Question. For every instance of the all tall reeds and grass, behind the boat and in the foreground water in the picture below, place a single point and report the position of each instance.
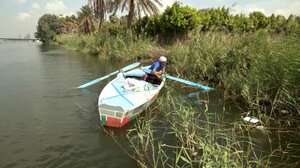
(258, 71)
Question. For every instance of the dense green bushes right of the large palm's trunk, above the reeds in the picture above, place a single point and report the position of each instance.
(177, 20)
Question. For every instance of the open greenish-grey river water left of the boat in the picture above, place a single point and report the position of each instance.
(44, 121)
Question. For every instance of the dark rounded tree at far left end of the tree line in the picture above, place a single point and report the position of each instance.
(48, 27)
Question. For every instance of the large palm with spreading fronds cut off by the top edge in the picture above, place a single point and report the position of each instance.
(134, 6)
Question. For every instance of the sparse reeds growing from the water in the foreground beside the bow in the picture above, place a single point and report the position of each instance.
(193, 137)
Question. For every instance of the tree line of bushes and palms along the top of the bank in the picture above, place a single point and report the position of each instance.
(176, 21)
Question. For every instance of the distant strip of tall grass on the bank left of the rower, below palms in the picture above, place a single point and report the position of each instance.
(117, 47)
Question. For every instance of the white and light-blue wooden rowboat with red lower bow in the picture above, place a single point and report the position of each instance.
(125, 97)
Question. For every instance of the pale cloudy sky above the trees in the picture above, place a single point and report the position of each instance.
(19, 17)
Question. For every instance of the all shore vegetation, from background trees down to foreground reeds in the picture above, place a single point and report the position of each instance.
(253, 60)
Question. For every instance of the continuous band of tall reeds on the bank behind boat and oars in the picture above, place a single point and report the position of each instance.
(258, 70)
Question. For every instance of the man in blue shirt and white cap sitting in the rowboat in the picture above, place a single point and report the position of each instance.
(158, 67)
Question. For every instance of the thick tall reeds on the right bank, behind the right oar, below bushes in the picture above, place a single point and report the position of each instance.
(260, 70)
